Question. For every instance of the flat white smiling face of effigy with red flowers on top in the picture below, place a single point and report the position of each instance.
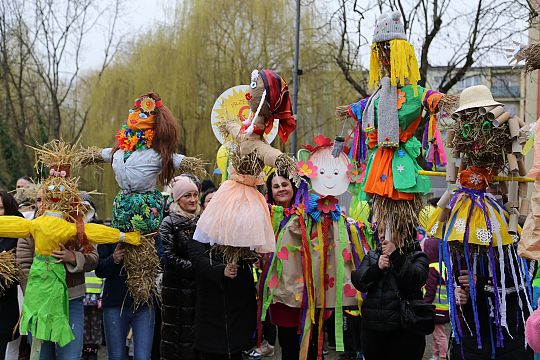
(331, 174)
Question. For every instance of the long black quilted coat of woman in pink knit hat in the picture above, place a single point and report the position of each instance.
(179, 290)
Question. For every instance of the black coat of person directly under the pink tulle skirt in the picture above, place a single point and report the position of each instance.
(226, 315)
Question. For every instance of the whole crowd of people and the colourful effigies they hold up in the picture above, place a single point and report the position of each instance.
(270, 259)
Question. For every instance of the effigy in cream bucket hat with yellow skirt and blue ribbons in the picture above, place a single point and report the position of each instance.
(473, 224)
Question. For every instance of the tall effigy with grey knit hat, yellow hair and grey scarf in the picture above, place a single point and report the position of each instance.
(387, 122)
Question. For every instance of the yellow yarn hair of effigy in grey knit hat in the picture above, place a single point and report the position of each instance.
(403, 64)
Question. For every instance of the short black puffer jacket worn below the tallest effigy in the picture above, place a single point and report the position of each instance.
(381, 307)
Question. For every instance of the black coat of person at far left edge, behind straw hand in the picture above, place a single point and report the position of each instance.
(9, 314)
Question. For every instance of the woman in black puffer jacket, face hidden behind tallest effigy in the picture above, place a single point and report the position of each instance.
(383, 337)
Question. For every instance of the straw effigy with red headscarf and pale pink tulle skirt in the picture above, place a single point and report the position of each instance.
(228, 221)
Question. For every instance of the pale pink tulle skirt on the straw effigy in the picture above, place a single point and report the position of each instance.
(237, 216)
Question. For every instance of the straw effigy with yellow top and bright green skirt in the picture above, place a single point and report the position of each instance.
(45, 309)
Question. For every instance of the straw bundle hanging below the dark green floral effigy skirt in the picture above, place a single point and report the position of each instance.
(142, 266)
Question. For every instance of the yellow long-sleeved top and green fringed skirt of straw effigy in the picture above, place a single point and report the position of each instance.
(45, 309)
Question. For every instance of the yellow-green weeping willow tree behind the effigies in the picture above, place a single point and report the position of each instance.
(208, 48)
